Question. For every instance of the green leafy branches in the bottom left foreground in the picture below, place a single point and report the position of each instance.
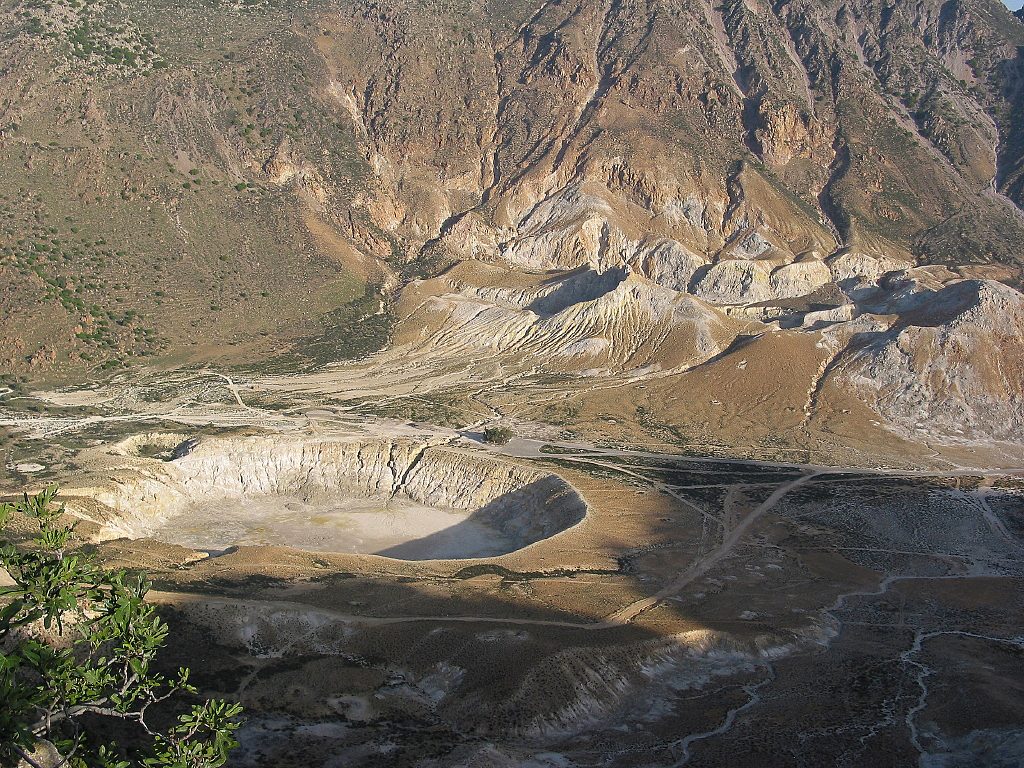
(76, 648)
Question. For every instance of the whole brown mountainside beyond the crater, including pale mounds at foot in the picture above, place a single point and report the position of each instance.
(685, 173)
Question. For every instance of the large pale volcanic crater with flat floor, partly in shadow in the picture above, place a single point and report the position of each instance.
(403, 499)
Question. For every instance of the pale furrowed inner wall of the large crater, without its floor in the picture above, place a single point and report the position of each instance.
(522, 504)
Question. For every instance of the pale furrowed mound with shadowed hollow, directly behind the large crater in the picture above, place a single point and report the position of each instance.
(613, 322)
